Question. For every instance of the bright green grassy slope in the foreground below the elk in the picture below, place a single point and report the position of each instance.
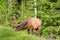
(8, 33)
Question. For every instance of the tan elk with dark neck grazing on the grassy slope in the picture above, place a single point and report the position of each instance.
(30, 24)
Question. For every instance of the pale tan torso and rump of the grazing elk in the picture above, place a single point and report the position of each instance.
(33, 23)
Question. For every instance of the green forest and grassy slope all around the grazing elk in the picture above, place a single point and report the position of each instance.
(46, 10)
